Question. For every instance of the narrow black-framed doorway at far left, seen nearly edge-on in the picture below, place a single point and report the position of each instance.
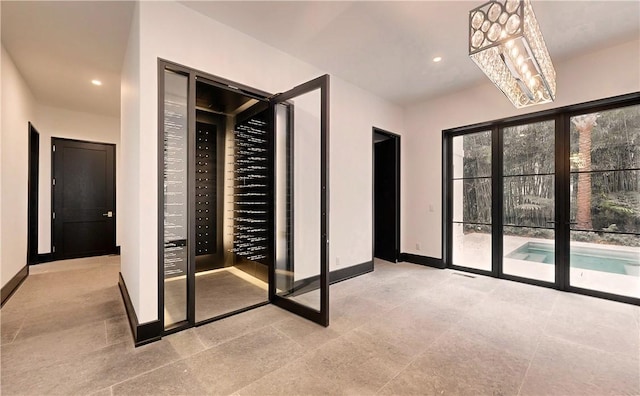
(32, 195)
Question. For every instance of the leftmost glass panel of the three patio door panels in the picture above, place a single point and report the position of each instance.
(471, 228)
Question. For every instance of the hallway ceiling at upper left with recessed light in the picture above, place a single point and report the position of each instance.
(59, 47)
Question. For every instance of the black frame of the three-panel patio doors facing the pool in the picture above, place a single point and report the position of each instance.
(562, 117)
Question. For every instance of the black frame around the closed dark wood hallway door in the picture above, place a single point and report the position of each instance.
(57, 255)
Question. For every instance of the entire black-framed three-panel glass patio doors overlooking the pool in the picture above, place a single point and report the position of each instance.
(551, 199)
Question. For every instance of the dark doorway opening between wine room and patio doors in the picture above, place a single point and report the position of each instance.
(386, 195)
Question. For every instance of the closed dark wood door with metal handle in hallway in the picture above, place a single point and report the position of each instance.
(83, 189)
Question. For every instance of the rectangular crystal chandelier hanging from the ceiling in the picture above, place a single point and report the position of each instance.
(506, 43)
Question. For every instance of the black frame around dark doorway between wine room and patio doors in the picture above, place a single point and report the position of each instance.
(397, 186)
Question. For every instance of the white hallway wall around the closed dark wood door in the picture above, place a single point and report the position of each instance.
(62, 123)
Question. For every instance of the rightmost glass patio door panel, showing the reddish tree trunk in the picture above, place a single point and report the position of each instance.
(605, 201)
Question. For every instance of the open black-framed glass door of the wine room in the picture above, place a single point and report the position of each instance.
(299, 279)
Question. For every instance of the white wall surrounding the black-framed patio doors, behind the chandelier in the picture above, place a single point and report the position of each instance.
(604, 73)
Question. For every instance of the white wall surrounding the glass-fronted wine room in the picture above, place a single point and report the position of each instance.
(173, 32)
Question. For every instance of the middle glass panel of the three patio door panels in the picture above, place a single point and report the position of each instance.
(529, 201)
